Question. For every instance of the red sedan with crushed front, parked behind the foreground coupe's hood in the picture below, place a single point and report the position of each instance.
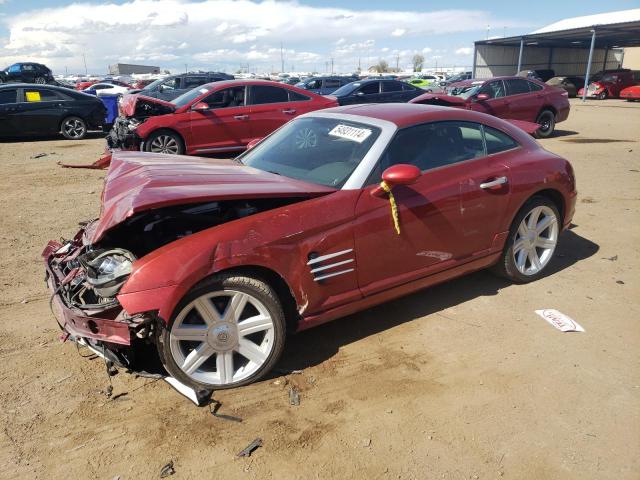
(217, 117)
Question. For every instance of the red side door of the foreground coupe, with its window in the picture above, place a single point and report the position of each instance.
(446, 218)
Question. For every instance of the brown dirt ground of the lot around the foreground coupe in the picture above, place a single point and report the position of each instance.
(460, 381)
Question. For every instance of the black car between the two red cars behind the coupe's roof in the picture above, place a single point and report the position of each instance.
(376, 91)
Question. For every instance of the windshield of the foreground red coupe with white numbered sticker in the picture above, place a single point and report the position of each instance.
(323, 151)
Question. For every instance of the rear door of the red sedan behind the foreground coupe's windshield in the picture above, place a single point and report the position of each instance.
(269, 110)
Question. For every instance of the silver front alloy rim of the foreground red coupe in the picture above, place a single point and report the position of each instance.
(222, 337)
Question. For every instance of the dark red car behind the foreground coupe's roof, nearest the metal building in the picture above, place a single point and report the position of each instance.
(513, 98)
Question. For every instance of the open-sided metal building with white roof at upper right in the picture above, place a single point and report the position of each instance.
(575, 46)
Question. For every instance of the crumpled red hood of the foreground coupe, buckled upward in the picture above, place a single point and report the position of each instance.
(139, 181)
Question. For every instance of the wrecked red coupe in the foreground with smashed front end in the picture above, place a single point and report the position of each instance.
(212, 262)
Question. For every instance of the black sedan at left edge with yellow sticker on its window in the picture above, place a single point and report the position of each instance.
(30, 110)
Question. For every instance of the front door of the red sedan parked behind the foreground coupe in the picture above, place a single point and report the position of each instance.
(224, 126)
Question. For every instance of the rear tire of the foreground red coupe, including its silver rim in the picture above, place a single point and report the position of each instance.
(532, 241)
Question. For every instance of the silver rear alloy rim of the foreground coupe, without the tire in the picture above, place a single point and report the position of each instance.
(535, 240)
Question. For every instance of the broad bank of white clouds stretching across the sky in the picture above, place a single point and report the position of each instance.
(219, 33)
